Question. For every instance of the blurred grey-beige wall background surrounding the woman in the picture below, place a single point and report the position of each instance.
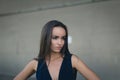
(93, 25)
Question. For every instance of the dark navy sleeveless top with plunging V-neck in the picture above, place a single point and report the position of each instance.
(66, 70)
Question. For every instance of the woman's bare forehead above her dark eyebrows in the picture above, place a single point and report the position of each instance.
(58, 31)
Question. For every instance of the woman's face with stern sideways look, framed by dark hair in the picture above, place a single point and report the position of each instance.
(58, 39)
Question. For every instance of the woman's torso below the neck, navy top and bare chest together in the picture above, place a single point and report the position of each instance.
(60, 70)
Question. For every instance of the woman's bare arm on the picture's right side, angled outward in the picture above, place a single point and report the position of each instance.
(83, 69)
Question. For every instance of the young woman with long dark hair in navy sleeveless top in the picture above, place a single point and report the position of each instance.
(54, 61)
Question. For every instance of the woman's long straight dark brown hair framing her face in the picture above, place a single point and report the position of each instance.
(46, 39)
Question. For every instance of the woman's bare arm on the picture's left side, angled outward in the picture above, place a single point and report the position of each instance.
(29, 69)
